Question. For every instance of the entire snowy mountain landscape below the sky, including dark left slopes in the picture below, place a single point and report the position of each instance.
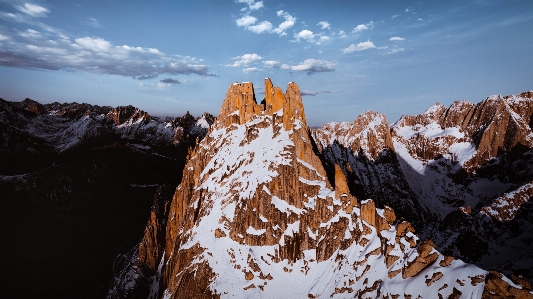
(254, 203)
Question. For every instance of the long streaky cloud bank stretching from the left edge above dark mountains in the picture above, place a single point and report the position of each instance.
(43, 50)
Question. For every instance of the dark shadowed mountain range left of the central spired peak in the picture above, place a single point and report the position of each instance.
(76, 190)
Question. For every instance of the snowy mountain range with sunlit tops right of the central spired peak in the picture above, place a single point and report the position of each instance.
(468, 167)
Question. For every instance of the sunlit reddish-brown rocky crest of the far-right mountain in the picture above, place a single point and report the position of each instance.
(496, 124)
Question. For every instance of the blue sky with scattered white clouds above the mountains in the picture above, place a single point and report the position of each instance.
(347, 57)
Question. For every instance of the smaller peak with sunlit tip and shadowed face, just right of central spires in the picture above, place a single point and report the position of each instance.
(365, 153)
